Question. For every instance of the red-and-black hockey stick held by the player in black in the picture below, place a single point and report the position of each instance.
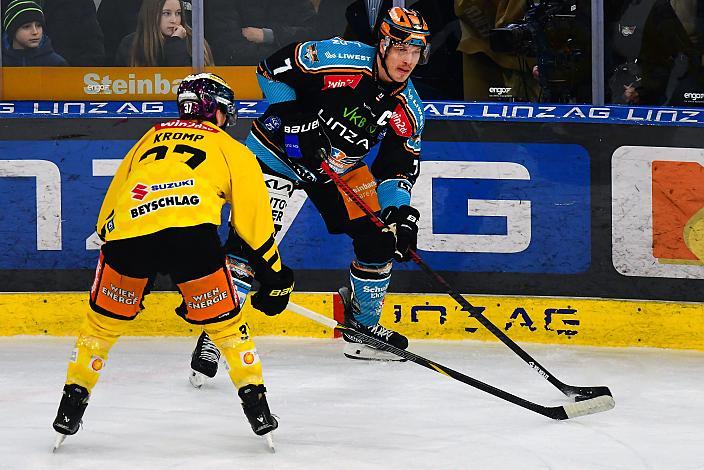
(578, 393)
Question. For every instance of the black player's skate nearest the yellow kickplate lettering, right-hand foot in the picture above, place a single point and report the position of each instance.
(356, 350)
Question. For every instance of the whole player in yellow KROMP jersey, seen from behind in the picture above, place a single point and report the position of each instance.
(161, 214)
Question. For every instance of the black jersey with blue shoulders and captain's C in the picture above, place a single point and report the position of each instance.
(336, 80)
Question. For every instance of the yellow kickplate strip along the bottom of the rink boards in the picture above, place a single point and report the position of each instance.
(592, 322)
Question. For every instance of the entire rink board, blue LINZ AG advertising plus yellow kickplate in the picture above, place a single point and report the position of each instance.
(530, 208)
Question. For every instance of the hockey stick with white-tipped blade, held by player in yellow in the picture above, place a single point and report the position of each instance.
(568, 411)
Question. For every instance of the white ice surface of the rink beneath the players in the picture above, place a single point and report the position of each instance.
(337, 413)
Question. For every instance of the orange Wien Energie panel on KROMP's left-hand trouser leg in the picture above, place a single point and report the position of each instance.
(116, 295)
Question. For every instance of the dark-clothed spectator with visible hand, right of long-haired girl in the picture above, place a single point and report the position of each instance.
(243, 32)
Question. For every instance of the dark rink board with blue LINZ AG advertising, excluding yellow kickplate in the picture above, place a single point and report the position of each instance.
(516, 200)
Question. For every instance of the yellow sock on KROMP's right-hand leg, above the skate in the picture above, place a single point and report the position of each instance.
(232, 337)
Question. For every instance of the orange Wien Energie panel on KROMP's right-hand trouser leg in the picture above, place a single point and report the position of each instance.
(208, 299)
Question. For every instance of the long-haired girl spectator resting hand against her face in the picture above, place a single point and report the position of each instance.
(162, 38)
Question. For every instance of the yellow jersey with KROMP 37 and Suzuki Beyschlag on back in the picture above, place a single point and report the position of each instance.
(180, 174)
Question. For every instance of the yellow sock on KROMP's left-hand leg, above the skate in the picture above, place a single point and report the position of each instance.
(96, 336)
